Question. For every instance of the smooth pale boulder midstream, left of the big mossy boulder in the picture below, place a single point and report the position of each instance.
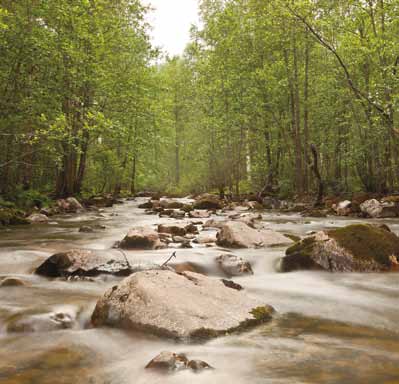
(236, 234)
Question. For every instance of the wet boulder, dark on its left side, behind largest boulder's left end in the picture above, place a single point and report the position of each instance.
(81, 262)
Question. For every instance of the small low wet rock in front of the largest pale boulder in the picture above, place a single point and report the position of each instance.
(172, 362)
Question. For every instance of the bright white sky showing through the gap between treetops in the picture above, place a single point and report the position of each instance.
(171, 21)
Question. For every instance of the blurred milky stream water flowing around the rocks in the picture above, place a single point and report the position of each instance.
(330, 328)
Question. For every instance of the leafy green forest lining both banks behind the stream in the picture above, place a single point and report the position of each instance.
(88, 106)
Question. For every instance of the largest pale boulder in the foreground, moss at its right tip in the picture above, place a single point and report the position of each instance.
(186, 305)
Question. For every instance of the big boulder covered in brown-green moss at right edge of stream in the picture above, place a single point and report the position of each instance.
(355, 248)
